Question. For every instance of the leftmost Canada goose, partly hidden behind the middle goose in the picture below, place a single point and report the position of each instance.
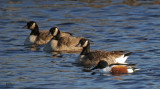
(38, 37)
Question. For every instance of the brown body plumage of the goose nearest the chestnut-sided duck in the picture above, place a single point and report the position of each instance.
(92, 58)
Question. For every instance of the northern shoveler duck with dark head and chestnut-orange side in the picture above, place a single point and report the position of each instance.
(115, 68)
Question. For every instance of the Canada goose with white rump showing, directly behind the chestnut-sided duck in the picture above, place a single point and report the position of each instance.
(89, 58)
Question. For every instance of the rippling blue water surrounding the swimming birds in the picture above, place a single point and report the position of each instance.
(132, 25)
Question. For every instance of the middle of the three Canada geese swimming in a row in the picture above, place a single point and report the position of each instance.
(67, 44)
